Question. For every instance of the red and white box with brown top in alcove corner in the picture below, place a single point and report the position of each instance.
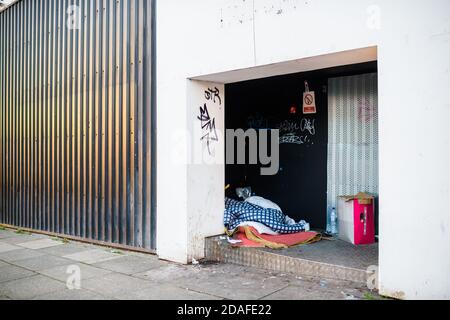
(356, 219)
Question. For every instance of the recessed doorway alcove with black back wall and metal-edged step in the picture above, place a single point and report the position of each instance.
(331, 153)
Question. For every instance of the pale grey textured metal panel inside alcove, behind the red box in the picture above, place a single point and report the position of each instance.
(353, 136)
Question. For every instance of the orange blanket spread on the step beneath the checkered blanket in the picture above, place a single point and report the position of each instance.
(252, 238)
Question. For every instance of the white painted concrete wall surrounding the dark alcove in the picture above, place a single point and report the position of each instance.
(203, 37)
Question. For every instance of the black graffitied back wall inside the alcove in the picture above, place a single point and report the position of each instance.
(300, 187)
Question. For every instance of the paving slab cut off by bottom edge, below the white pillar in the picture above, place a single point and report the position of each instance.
(164, 292)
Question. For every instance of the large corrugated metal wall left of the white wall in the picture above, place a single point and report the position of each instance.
(75, 119)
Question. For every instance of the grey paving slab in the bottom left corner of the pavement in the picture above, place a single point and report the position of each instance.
(29, 288)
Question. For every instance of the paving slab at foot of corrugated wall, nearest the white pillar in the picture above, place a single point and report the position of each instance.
(131, 264)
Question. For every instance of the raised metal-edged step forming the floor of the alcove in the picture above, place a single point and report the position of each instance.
(334, 259)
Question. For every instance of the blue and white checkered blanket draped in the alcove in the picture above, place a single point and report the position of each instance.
(237, 212)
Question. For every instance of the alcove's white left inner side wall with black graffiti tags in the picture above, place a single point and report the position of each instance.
(206, 169)
